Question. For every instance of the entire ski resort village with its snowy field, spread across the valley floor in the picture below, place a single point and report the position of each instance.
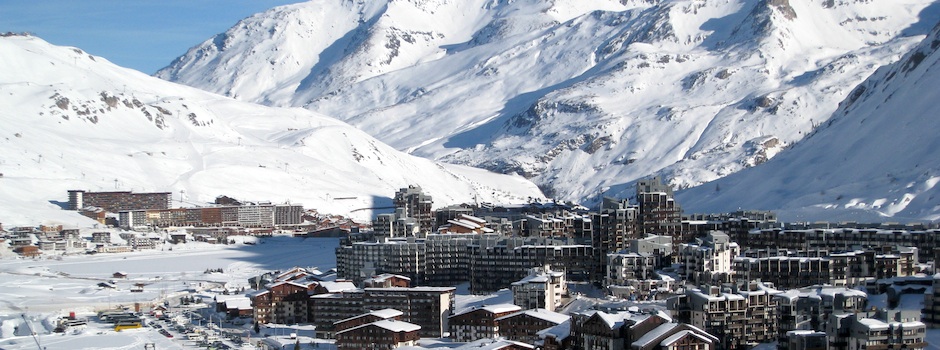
(631, 274)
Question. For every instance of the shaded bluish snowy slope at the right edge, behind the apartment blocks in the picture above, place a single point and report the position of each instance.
(878, 156)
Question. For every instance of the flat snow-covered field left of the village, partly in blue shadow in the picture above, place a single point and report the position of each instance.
(46, 289)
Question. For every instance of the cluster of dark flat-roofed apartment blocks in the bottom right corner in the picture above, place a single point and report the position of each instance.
(817, 317)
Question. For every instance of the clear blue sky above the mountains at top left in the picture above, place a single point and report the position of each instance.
(145, 35)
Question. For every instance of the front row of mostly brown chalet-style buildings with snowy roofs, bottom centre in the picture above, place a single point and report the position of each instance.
(384, 312)
